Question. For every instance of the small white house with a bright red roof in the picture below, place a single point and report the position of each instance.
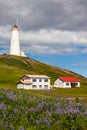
(66, 82)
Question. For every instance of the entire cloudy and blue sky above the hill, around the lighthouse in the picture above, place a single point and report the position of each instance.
(51, 31)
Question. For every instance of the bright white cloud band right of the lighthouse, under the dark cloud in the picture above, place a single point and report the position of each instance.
(55, 37)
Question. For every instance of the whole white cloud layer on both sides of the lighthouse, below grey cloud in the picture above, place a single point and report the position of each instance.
(47, 41)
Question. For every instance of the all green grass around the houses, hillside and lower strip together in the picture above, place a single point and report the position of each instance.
(13, 68)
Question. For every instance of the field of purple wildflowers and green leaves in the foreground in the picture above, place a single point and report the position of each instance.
(21, 110)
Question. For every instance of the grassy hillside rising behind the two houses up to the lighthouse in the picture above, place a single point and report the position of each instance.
(14, 67)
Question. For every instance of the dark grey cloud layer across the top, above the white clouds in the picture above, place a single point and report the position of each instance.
(56, 14)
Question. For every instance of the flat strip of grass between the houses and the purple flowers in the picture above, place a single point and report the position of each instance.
(72, 93)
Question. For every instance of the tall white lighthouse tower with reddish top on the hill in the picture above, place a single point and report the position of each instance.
(15, 44)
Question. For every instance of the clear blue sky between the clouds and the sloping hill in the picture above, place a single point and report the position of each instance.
(75, 63)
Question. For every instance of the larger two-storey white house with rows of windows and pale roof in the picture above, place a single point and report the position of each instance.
(34, 82)
